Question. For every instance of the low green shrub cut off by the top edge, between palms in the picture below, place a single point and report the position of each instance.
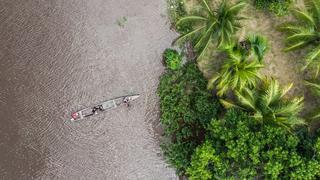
(278, 7)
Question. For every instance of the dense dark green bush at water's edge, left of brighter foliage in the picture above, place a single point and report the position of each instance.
(186, 109)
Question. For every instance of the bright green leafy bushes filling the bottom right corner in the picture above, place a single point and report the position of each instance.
(239, 147)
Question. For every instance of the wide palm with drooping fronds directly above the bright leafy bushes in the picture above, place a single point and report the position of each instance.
(268, 104)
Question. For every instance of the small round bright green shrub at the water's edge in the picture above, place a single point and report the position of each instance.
(172, 59)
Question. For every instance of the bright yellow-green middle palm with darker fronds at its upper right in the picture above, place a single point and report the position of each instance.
(241, 68)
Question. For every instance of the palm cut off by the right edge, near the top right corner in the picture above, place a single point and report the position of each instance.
(305, 32)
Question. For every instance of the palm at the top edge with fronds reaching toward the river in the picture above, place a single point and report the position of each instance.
(212, 25)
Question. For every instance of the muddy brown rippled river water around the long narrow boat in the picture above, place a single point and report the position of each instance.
(58, 56)
